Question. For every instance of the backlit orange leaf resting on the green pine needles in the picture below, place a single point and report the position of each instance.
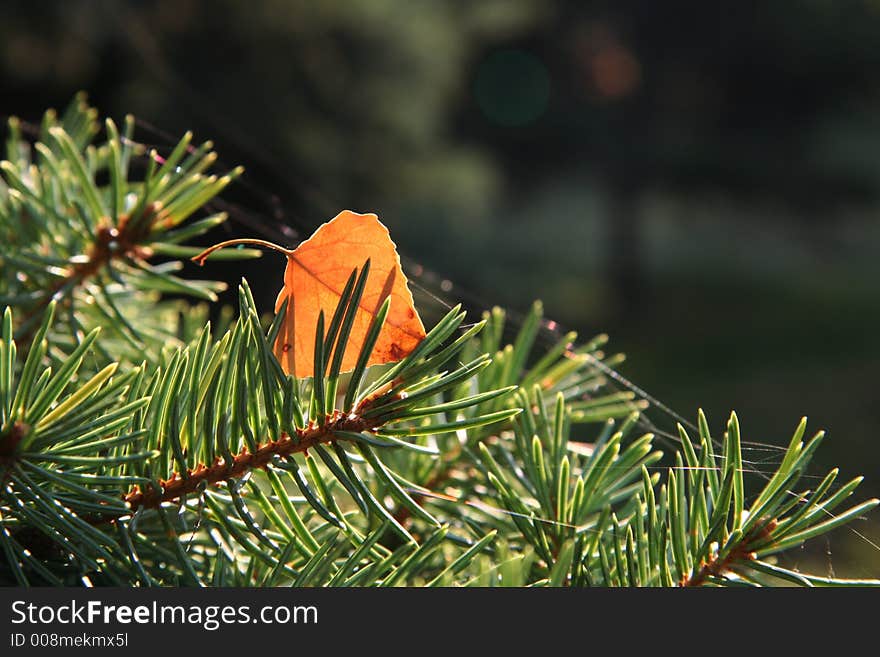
(315, 277)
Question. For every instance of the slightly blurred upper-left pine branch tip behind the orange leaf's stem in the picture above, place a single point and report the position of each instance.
(68, 237)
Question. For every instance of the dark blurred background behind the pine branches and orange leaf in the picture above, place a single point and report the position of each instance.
(700, 180)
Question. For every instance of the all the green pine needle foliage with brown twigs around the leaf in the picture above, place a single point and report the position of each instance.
(140, 449)
